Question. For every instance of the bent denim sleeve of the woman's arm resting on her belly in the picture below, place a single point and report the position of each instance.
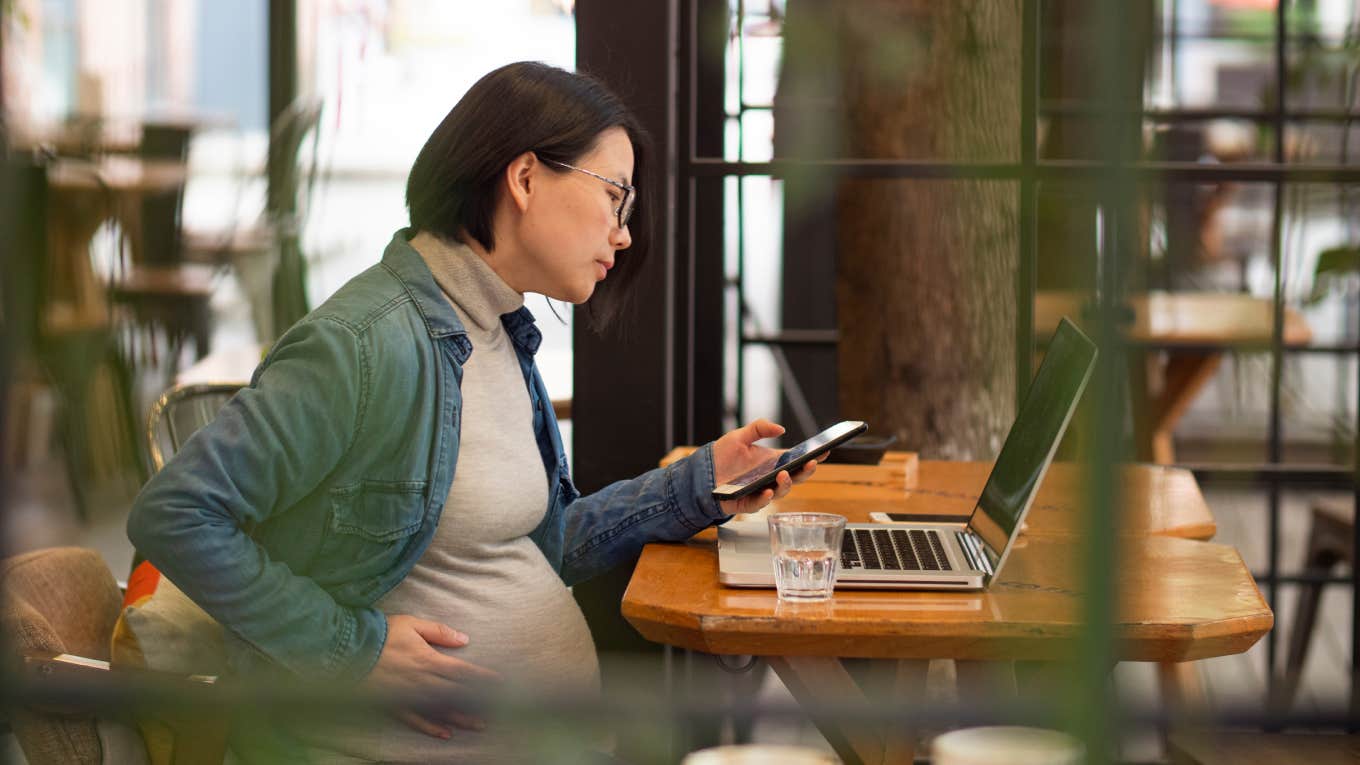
(267, 450)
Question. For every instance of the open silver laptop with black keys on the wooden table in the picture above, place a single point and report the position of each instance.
(947, 556)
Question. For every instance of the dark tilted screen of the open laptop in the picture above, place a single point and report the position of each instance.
(1033, 439)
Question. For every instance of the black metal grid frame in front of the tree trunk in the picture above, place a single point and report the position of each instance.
(1030, 172)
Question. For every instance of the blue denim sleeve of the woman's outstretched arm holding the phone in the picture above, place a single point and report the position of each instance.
(668, 504)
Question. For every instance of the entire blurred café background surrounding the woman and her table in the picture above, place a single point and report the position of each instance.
(188, 178)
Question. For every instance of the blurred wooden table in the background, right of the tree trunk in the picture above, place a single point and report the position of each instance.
(1193, 330)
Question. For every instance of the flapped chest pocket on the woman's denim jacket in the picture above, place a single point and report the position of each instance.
(369, 530)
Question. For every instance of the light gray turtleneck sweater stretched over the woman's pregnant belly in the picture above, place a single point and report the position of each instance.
(482, 575)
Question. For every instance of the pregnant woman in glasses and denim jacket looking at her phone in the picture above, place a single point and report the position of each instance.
(388, 502)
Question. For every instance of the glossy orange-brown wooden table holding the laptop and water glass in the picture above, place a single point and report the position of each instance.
(1183, 600)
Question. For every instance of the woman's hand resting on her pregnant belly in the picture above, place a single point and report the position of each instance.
(410, 666)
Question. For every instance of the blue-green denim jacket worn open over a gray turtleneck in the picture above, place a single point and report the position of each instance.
(319, 487)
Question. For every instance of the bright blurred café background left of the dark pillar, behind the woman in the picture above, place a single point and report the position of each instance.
(197, 208)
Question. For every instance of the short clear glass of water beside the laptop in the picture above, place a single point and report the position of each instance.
(806, 549)
